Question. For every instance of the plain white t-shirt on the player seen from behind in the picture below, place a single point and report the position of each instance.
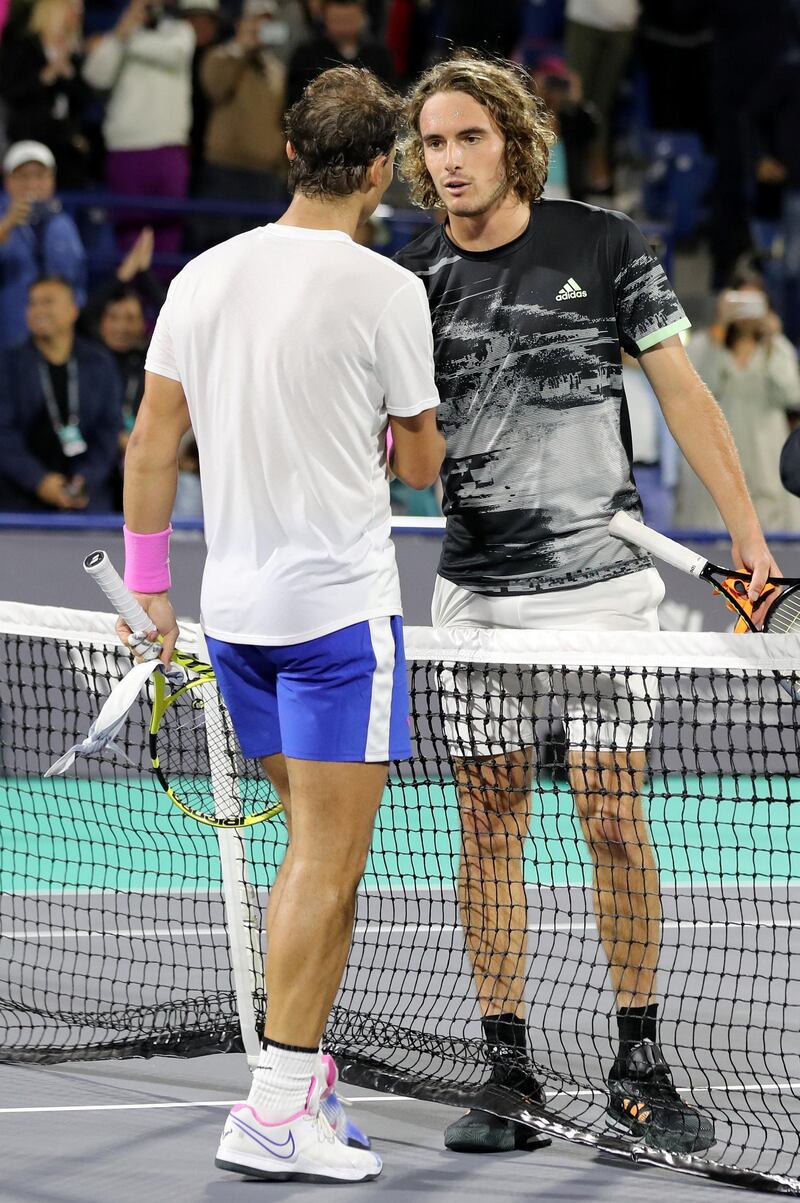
(293, 347)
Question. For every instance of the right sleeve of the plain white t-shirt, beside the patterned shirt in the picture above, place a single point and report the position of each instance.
(405, 353)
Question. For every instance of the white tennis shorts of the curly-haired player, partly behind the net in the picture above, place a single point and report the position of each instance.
(490, 713)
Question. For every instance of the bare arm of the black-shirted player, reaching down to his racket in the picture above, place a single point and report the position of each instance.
(704, 437)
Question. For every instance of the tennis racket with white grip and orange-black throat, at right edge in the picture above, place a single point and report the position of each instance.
(784, 614)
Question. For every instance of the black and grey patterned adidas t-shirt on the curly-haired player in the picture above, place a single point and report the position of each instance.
(528, 352)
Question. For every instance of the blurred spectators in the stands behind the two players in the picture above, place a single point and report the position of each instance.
(682, 111)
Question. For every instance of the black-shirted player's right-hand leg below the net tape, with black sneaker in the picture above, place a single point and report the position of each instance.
(608, 784)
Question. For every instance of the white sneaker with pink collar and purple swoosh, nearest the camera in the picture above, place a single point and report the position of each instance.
(303, 1148)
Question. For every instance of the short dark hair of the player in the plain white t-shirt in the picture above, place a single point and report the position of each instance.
(342, 123)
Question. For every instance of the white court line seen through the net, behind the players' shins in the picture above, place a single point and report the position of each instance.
(366, 929)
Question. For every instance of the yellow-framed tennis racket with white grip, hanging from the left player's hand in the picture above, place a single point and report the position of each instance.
(194, 752)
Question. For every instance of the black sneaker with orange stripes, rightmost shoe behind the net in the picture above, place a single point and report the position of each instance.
(644, 1101)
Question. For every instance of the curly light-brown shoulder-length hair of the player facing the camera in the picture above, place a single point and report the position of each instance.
(518, 111)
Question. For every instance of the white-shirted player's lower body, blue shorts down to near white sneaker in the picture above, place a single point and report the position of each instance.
(339, 712)
